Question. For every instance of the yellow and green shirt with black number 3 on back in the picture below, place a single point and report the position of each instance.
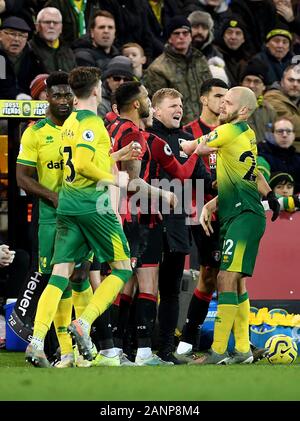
(82, 129)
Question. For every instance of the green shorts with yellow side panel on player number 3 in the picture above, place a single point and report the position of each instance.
(78, 234)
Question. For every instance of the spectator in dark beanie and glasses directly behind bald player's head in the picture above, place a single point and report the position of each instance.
(261, 121)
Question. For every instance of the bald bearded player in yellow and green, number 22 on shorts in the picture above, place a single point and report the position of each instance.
(242, 221)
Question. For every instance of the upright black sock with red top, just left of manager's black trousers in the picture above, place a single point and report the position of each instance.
(145, 318)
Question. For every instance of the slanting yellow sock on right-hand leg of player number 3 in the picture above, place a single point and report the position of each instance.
(104, 295)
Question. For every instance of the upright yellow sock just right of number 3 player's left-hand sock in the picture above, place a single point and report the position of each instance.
(62, 319)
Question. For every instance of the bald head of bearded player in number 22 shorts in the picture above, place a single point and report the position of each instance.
(238, 105)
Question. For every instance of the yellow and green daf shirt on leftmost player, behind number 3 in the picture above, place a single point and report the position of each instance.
(41, 148)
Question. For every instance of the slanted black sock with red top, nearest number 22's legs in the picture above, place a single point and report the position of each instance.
(196, 315)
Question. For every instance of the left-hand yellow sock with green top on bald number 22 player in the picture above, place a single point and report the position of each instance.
(226, 313)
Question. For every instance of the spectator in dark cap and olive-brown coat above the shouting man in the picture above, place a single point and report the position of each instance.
(180, 67)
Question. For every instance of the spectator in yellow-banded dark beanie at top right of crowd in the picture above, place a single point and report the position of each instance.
(277, 52)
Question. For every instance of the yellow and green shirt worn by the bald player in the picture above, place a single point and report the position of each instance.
(236, 169)
